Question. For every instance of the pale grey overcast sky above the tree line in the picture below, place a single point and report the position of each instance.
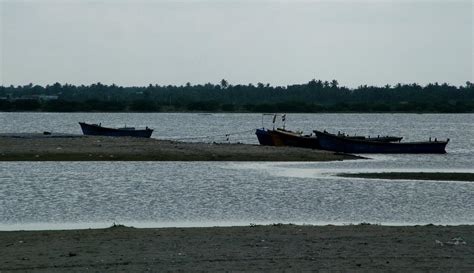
(138, 42)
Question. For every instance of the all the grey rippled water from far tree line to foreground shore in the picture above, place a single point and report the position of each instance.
(90, 194)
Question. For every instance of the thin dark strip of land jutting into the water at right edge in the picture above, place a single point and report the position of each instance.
(414, 176)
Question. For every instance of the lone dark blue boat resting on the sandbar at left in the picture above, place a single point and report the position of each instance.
(99, 130)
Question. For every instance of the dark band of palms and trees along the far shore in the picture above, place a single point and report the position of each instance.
(311, 97)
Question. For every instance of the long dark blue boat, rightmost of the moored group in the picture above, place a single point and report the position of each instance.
(333, 142)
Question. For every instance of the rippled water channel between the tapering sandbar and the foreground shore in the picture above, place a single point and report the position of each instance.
(210, 192)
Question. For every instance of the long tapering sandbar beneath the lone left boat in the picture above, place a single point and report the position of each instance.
(36, 147)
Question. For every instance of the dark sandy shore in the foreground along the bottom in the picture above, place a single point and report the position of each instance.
(289, 248)
